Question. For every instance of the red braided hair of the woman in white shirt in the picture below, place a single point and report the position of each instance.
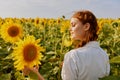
(86, 16)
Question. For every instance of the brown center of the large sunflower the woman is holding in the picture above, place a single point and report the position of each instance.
(30, 52)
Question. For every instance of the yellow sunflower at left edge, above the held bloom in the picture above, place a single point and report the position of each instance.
(11, 32)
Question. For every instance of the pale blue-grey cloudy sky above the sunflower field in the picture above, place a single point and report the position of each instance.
(58, 8)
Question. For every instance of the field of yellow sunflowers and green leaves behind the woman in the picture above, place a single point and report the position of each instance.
(44, 42)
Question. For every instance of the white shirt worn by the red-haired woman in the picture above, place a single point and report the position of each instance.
(87, 63)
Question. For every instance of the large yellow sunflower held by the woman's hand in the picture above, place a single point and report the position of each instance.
(27, 53)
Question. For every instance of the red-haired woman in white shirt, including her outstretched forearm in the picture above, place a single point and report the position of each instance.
(88, 61)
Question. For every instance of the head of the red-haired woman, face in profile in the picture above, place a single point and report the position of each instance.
(84, 27)
